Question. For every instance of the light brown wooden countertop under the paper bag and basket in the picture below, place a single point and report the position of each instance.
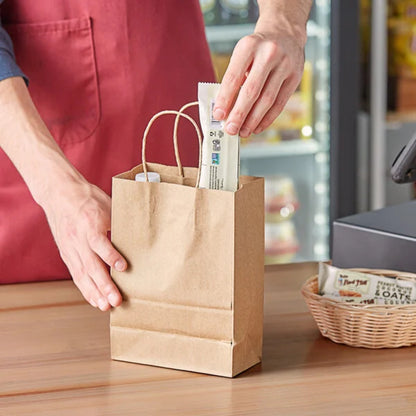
(55, 360)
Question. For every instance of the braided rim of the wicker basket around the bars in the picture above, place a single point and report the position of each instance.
(307, 292)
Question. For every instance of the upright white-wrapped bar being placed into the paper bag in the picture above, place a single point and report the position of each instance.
(220, 152)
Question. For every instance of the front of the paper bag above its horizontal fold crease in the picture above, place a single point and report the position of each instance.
(178, 241)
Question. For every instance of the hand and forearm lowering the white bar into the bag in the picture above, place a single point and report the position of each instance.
(265, 68)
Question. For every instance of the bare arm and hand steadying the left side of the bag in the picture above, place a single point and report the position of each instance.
(77, 211)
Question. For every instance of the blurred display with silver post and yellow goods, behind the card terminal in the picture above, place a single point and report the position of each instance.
(387, 119)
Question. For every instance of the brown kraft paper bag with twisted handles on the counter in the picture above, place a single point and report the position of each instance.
(193, 291)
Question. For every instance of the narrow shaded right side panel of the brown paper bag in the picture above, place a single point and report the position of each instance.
(249, 275)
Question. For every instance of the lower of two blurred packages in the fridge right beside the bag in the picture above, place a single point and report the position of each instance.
(281, 243)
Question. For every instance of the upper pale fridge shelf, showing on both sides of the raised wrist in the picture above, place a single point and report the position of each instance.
(223, 33)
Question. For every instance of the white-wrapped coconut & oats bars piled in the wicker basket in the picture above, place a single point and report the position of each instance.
(364, 288)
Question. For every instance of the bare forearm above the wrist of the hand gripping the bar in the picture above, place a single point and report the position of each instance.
(290, 16)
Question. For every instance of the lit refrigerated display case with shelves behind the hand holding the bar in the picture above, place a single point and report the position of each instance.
(294, 153)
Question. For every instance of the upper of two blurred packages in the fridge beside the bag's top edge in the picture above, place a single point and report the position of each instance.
(280, 198)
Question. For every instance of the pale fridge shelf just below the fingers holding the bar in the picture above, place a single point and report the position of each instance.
(289, 148)
